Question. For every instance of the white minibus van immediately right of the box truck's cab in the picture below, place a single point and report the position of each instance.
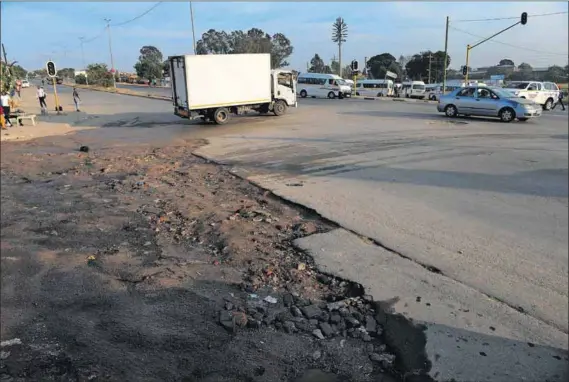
(322, 85)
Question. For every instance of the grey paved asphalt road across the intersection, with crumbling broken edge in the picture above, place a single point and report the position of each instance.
(479, 208)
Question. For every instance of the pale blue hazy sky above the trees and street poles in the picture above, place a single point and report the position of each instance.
(32, 32)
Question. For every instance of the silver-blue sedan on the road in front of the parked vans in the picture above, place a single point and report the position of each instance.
(487, 102)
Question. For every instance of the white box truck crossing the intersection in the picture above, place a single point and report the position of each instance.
(213, 87)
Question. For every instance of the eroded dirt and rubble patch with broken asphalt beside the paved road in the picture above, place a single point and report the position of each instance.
(138, 263)
